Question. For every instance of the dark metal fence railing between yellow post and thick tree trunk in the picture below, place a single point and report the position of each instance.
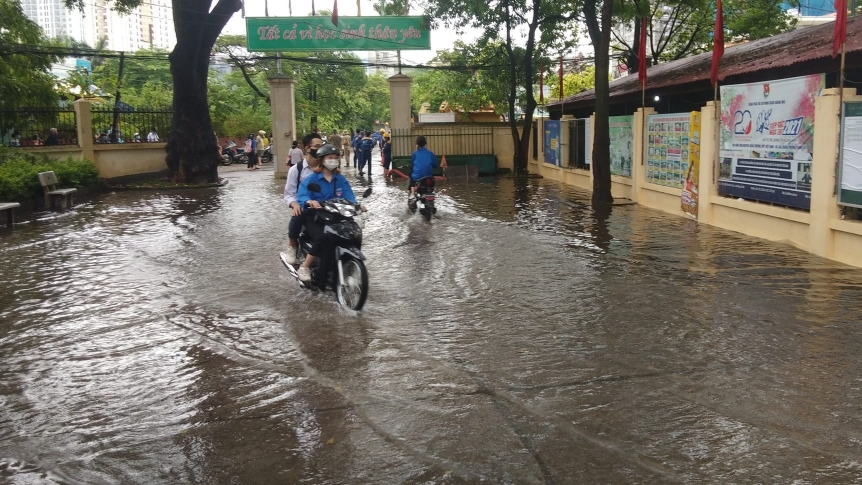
(133, 126)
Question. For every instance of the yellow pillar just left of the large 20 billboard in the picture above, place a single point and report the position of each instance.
(707, 185)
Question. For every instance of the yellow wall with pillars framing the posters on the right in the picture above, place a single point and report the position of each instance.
(819, 230)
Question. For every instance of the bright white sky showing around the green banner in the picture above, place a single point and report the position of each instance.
(440, 39)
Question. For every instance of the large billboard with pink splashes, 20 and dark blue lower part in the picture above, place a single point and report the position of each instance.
(767, 139)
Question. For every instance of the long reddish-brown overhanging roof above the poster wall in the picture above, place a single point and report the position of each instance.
(795, 53)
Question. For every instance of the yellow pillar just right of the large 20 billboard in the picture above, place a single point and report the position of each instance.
(824, 203)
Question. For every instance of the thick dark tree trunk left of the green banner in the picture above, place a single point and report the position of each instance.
(192, 153)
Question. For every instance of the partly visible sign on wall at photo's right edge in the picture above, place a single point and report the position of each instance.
(850, 172)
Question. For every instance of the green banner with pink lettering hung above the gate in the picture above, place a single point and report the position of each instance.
(351, 34)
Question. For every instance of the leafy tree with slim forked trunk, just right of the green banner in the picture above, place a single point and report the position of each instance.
(525, 29)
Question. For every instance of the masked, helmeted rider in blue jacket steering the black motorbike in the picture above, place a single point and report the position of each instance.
(333, 185)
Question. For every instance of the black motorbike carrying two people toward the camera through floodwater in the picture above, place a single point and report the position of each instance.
(343, 269)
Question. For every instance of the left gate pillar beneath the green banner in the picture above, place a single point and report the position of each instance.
(281, 89)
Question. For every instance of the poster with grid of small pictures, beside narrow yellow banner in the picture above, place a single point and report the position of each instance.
(668, 138)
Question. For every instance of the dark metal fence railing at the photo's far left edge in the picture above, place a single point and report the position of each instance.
(31, 126)
